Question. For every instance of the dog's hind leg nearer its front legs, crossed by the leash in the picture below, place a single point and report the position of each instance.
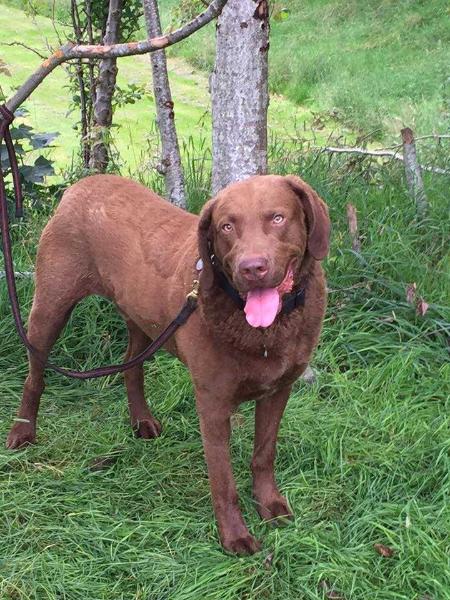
(143, 422)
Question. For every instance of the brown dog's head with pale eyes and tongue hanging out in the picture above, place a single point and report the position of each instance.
(259, 231)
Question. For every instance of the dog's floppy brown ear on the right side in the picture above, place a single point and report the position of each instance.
(317, 219)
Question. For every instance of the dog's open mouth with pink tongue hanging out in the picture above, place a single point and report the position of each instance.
(263, 304)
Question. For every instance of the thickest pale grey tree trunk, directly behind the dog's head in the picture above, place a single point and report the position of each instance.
(239, 88)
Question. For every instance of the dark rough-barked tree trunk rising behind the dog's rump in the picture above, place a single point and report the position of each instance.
(106, 83)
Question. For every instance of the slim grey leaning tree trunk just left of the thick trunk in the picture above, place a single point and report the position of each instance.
(170, 165)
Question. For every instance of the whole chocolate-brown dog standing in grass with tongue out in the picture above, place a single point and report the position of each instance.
(261, 240)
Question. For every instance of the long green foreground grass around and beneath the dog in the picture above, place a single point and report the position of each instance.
(363, 454)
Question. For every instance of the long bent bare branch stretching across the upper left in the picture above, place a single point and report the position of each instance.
(71, 51)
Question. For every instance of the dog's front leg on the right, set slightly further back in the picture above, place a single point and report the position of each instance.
(268, 412)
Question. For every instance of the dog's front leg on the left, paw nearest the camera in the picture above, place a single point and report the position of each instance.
(215, 428)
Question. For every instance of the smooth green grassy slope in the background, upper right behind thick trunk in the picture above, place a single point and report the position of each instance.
(371, 66)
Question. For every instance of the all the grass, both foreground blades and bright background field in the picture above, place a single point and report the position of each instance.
(91, 513)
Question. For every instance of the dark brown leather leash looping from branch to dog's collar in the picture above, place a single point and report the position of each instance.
(188, 308)
